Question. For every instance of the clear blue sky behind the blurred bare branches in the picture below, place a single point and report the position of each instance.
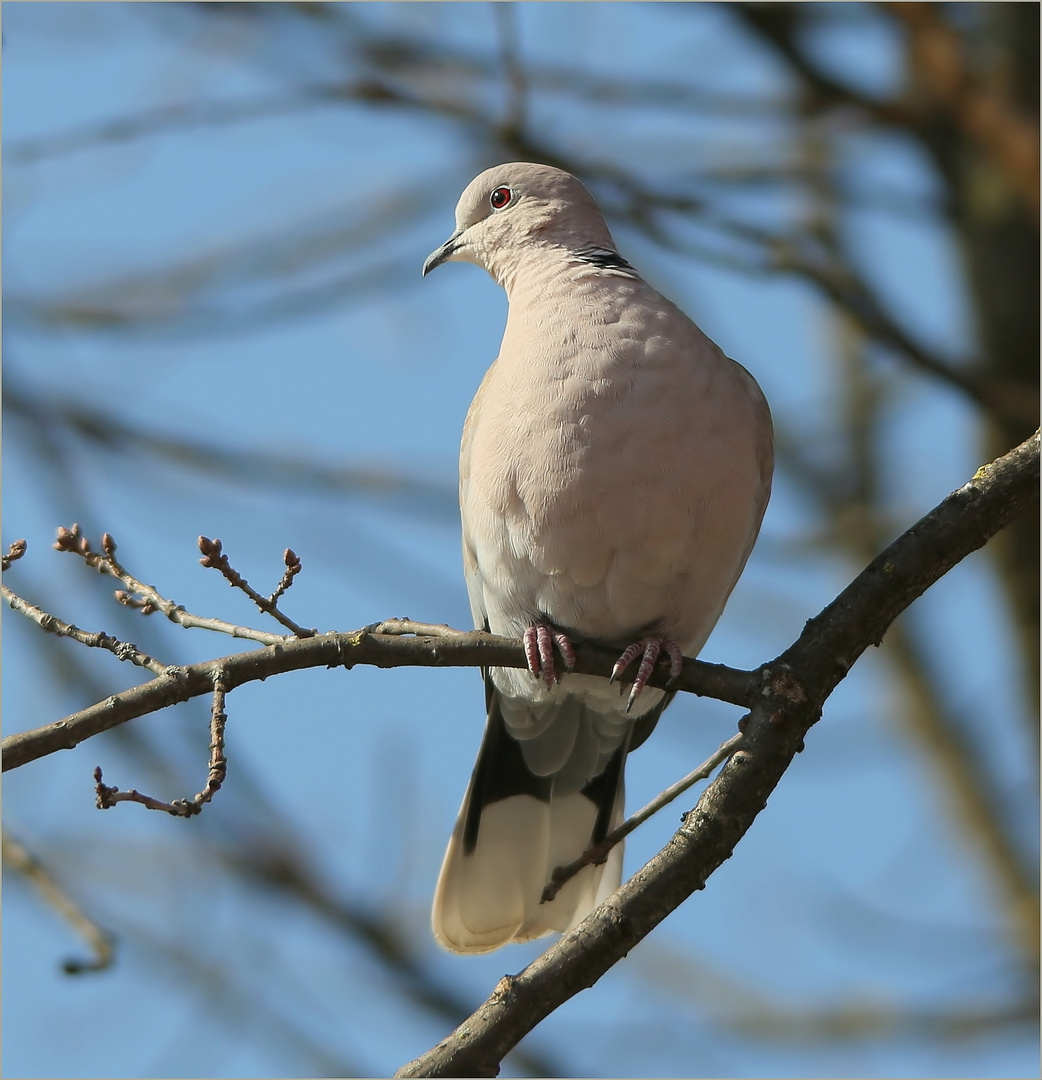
(854, 886)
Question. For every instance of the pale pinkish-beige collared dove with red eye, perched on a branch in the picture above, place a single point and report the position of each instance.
(615, 469)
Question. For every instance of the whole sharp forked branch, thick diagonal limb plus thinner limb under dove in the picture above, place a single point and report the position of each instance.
(787, 697)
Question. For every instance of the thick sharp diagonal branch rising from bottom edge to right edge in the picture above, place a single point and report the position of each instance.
(795, 687)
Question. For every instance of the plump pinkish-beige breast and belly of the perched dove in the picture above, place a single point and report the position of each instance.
(611, 478)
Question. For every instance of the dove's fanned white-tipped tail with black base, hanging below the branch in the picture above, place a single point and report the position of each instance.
(533, 804)
